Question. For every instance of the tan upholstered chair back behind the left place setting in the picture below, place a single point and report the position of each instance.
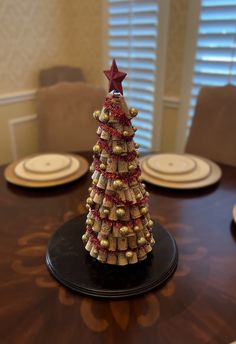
(65, 116)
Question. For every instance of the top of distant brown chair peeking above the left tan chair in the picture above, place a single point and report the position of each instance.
(53, 75)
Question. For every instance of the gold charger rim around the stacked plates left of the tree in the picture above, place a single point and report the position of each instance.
(11, 177)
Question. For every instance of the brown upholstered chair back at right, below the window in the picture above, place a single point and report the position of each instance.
(213, 131)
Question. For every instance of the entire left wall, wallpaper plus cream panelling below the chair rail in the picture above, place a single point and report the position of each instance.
(38, 34)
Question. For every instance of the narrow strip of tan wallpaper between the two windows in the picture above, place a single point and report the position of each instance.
(175, 50)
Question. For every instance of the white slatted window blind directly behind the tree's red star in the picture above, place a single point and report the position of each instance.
(133, 31)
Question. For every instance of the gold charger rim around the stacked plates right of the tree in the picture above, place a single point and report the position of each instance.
(212, 178)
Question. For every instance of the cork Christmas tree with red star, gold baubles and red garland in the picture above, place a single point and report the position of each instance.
(118, 225)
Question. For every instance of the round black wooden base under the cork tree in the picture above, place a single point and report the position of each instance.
(71, 264)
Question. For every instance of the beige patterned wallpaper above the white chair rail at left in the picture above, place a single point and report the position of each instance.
(37, 34)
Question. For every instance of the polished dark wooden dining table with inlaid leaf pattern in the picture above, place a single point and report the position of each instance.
(196, 305)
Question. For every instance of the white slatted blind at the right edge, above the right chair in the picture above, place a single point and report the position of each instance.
(215, 57)
